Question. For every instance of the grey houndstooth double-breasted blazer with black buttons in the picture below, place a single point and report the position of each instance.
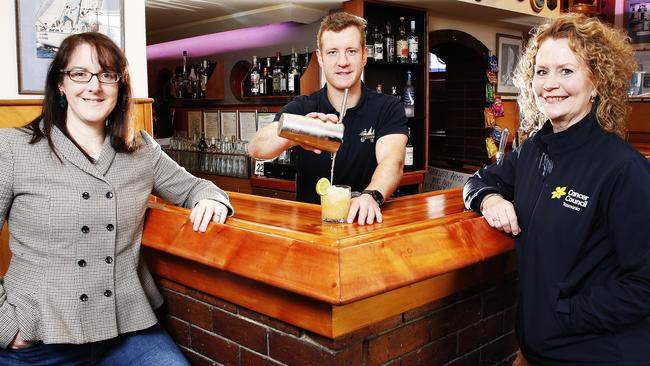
(75, 232)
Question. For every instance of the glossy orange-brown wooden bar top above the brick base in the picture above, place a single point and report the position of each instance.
(284, 244)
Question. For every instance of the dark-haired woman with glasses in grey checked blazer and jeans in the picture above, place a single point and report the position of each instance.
(73, 186)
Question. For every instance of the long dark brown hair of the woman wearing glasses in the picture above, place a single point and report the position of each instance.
(111, 58)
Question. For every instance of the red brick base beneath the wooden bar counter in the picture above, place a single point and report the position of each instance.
(474, 327)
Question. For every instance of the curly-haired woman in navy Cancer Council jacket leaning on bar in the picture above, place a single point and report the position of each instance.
(577, 197)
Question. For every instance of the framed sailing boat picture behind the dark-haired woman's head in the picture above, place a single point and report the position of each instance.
(41, 26)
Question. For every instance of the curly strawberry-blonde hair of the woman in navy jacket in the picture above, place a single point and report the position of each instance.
(605, 51)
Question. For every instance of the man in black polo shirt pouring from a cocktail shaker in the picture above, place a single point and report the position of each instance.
(371, 158)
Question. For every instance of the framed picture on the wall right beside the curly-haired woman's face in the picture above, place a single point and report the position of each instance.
(509, 50)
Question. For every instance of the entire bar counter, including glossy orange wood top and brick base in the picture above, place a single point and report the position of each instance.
(356, 290)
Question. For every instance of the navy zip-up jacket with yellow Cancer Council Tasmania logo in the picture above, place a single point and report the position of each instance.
(582, 199)
